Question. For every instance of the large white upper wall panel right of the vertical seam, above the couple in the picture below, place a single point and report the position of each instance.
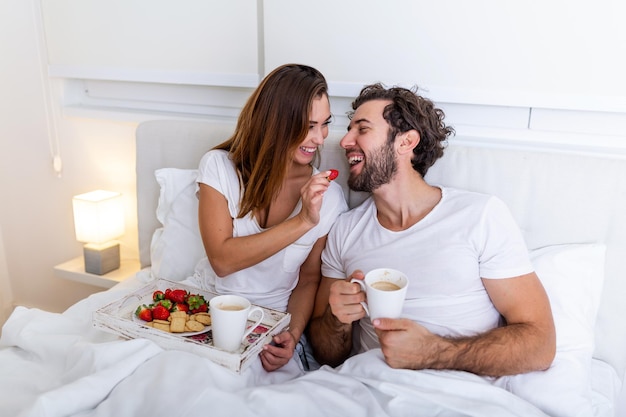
(558, 53)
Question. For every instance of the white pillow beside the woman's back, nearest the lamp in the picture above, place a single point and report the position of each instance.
(177, 247)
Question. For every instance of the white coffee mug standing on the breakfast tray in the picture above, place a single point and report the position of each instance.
(229, 317)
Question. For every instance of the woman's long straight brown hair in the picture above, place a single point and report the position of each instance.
(271, 126)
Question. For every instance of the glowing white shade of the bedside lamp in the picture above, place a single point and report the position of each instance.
(98, 216)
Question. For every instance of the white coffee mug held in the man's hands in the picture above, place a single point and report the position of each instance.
(385, 289)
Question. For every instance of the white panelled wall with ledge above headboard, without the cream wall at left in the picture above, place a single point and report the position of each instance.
(530, 66)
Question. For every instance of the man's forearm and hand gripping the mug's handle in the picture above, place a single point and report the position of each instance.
(330, 330)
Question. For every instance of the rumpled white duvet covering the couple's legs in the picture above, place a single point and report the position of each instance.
(59, 365)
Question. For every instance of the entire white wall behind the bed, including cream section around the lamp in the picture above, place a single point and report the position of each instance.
(539, 73)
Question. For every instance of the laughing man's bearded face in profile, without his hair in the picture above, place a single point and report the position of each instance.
(370, 152)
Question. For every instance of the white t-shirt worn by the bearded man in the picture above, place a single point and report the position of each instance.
(465, 237)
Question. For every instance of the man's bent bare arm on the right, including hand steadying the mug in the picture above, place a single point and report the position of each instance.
(526, 343)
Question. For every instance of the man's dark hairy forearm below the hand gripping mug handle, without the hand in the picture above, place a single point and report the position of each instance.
(331, 340)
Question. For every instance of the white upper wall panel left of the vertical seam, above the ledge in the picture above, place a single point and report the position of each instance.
(157, 40)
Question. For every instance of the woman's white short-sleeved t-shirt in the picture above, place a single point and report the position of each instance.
(270, 282)
